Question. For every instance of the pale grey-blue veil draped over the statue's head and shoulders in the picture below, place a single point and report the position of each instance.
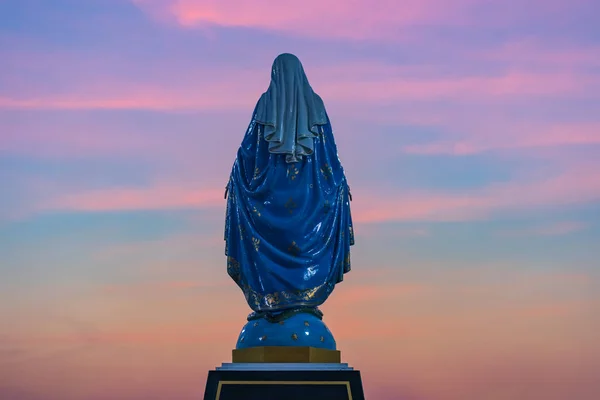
(289, 110)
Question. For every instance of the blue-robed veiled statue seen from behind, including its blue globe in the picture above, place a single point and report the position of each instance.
(288, 228)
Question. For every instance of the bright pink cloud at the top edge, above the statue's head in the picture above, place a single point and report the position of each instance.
(356, 20)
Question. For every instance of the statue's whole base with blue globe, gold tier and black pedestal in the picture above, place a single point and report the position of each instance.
(293, 358)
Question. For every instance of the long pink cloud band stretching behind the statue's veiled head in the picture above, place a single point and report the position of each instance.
(350, 89)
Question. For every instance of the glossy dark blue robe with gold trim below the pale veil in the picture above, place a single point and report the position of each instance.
(288, 228)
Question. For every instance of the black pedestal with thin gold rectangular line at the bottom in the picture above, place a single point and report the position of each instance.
(284, 385)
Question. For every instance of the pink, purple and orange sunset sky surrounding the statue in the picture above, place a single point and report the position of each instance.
(470, 135)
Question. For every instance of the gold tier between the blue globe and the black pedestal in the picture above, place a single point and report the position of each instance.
(285, 354)
